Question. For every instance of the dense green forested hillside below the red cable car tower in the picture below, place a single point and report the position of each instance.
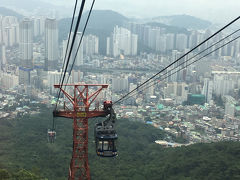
(25, 150)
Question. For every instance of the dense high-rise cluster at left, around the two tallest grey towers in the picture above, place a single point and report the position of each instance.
(38, 52)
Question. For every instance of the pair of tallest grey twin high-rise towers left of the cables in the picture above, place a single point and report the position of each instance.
(26, 36)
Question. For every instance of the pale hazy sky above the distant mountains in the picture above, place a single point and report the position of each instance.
(213, 10)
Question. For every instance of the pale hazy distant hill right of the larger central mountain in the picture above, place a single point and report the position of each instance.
(184, 21)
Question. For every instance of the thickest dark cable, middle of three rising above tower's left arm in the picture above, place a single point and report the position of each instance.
(71, 47)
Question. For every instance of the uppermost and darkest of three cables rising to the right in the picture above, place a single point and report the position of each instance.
(178, 59)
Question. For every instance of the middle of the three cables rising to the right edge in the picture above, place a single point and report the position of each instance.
(192, 57)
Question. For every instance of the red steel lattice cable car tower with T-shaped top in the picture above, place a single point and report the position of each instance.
(80, 112)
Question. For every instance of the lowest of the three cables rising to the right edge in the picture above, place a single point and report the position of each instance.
(156, 82)
